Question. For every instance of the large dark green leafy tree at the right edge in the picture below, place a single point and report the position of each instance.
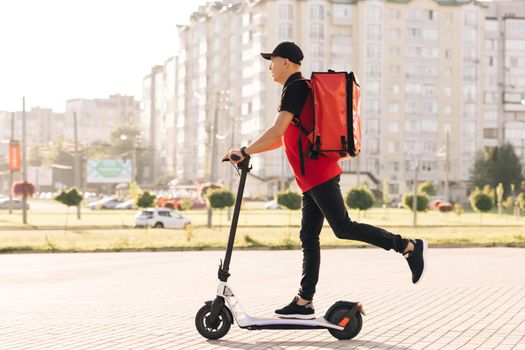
(500, 164)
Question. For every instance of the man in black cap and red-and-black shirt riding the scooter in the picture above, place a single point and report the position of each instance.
(322, 196)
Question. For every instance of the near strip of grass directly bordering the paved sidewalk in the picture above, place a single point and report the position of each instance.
(247, 237)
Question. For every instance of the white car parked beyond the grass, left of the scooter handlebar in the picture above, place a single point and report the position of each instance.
(160, 218)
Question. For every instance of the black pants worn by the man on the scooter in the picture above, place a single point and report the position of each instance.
(326, 201)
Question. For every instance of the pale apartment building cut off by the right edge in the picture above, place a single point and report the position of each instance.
(504, 90)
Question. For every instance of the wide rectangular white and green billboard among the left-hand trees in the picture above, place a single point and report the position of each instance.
(106, 171)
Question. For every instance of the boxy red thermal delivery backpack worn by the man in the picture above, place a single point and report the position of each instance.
(334, 127)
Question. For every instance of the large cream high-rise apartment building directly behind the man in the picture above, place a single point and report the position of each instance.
(420, 64)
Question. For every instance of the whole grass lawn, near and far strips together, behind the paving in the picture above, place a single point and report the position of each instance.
(112, 230)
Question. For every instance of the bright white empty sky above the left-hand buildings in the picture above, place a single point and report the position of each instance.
(55, 50)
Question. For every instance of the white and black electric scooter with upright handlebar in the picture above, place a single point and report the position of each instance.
(213, 321)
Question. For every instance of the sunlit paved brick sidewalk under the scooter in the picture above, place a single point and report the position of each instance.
(469, 299)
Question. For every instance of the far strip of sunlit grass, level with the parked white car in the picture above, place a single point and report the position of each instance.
(253, 217)
